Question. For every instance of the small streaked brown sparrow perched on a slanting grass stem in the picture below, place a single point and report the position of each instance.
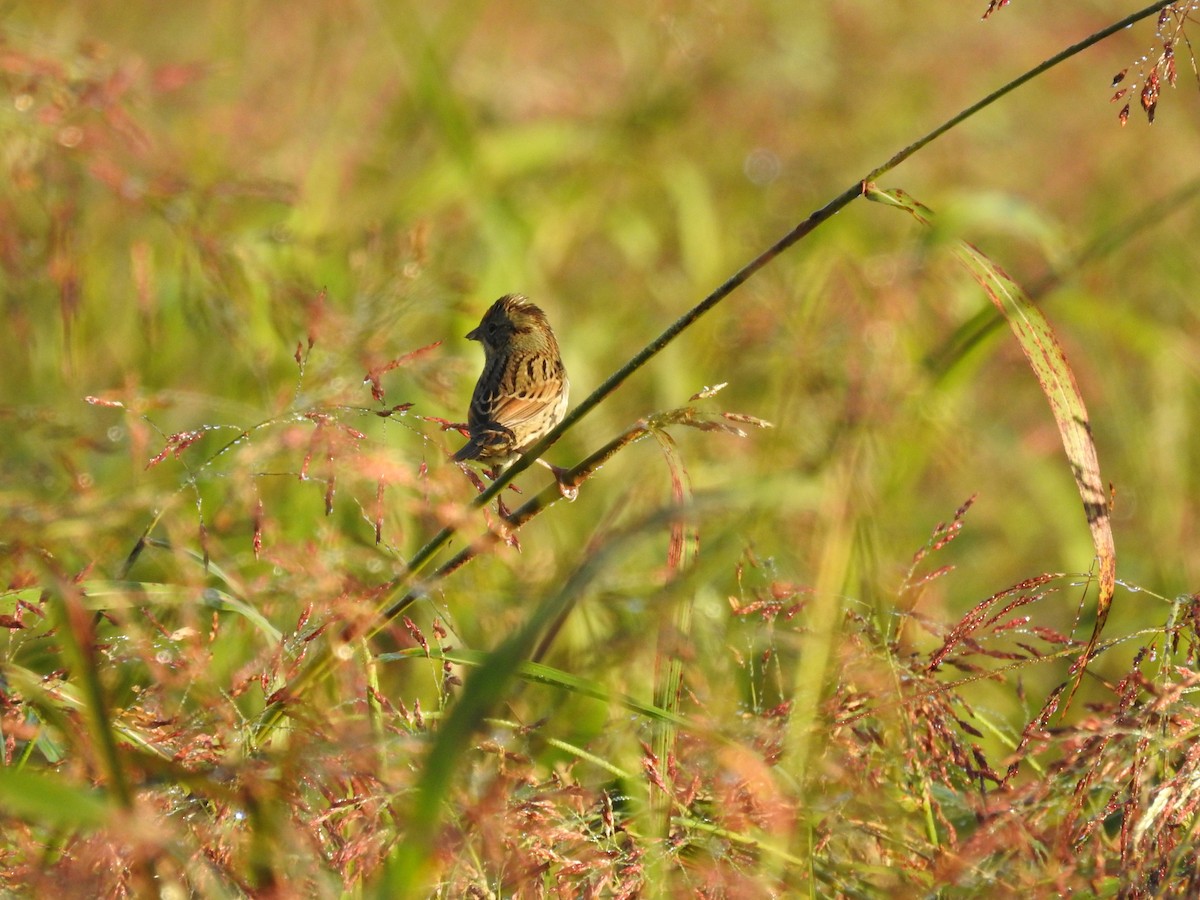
(523, 392)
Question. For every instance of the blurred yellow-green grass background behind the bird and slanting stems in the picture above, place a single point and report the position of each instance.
(193, 193)
